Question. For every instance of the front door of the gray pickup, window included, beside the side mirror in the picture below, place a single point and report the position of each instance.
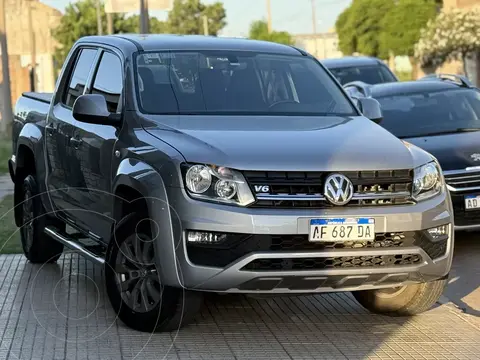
(92, 151)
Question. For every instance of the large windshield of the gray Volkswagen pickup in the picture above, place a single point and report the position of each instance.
(232, 82)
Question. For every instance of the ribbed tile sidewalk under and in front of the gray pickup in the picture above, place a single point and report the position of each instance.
(60, 311)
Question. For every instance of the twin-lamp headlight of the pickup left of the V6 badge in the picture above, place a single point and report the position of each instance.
(215, 183)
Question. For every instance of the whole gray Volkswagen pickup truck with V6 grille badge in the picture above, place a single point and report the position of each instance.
(189, 164)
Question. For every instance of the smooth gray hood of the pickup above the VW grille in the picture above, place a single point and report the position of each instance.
(282, 143)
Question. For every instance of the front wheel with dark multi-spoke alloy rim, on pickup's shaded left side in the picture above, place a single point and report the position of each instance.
(168, 308)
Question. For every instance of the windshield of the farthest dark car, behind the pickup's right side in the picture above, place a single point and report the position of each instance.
(374, 74)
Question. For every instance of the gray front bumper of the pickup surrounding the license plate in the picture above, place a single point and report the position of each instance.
(237, 276)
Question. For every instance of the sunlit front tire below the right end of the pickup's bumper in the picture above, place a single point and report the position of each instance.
(405, 301)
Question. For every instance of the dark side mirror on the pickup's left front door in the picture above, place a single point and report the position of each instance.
(92, 108)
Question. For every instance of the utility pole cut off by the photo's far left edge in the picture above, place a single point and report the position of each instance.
(7, 114)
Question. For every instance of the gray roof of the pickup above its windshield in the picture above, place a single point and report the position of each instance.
(198, 42)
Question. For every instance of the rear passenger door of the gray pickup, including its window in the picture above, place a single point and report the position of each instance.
(61, 169)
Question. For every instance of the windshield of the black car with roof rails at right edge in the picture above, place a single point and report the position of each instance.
(420, 114)
